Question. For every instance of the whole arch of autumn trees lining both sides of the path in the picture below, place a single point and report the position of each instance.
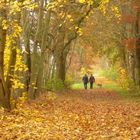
(37, 38)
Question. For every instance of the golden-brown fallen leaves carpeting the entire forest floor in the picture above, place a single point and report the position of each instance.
(74, 115)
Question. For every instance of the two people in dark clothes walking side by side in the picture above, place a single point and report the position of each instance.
(85, 80)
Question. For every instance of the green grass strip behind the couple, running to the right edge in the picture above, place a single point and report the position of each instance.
(130, 95)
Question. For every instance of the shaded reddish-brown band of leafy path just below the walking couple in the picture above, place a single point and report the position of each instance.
(91, 95)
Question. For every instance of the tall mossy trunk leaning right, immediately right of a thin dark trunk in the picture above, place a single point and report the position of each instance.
(36, 56)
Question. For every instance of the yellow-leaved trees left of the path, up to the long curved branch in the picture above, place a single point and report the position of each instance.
(35, 39)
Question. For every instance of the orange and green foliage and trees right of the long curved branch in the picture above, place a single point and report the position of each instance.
(114, 35)
